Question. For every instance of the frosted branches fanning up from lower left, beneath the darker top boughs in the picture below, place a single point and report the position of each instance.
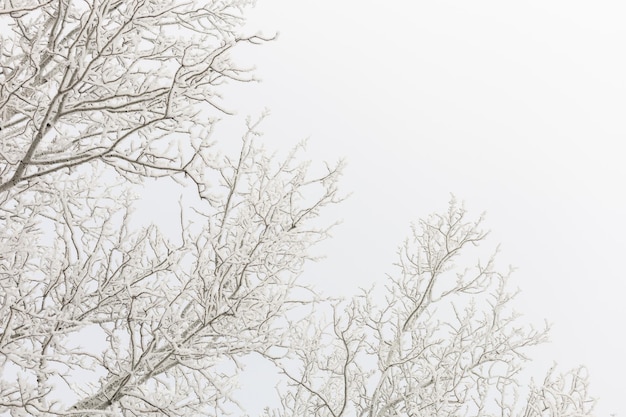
(152, 321)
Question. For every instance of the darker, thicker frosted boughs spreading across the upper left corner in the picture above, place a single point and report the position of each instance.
(110, 81)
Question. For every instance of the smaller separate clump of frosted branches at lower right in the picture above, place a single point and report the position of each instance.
(444, 342)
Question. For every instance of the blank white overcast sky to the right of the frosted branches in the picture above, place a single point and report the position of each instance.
(515, 107)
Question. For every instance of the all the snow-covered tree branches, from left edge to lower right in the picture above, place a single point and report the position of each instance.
(101, 315)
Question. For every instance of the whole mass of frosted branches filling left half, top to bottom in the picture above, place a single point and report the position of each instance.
(100, 315)
